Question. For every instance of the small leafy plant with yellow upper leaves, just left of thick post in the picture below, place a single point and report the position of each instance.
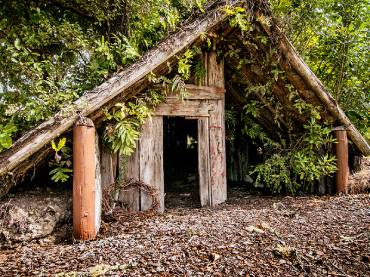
(62, 164)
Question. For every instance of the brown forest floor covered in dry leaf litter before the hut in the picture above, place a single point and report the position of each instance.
(247, 236)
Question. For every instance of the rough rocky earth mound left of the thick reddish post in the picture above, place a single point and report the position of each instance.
(34, 215)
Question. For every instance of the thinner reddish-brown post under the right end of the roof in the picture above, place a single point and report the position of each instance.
(342, 160)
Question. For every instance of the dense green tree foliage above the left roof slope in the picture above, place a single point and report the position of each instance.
(54, 51)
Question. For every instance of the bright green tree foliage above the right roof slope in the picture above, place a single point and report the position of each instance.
(332, 36)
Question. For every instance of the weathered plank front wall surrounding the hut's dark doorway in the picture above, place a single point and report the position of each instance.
(207, 104)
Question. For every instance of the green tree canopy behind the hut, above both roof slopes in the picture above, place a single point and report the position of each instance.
(53, 51)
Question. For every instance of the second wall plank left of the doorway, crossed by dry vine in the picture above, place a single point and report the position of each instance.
(130, 169)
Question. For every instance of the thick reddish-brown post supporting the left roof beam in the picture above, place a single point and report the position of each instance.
(84, 166)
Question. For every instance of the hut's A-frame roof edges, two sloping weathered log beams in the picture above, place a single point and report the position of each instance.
(34, 145)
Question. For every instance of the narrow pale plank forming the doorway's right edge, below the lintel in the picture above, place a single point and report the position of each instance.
(203, 161)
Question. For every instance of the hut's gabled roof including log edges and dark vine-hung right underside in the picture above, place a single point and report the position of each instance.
(34, 146)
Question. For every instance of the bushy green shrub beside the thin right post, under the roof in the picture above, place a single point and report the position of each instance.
(295, 168)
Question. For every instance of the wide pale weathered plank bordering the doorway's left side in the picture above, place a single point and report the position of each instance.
(151, 160)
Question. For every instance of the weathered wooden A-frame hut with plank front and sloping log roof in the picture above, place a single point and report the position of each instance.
(205, 103)
